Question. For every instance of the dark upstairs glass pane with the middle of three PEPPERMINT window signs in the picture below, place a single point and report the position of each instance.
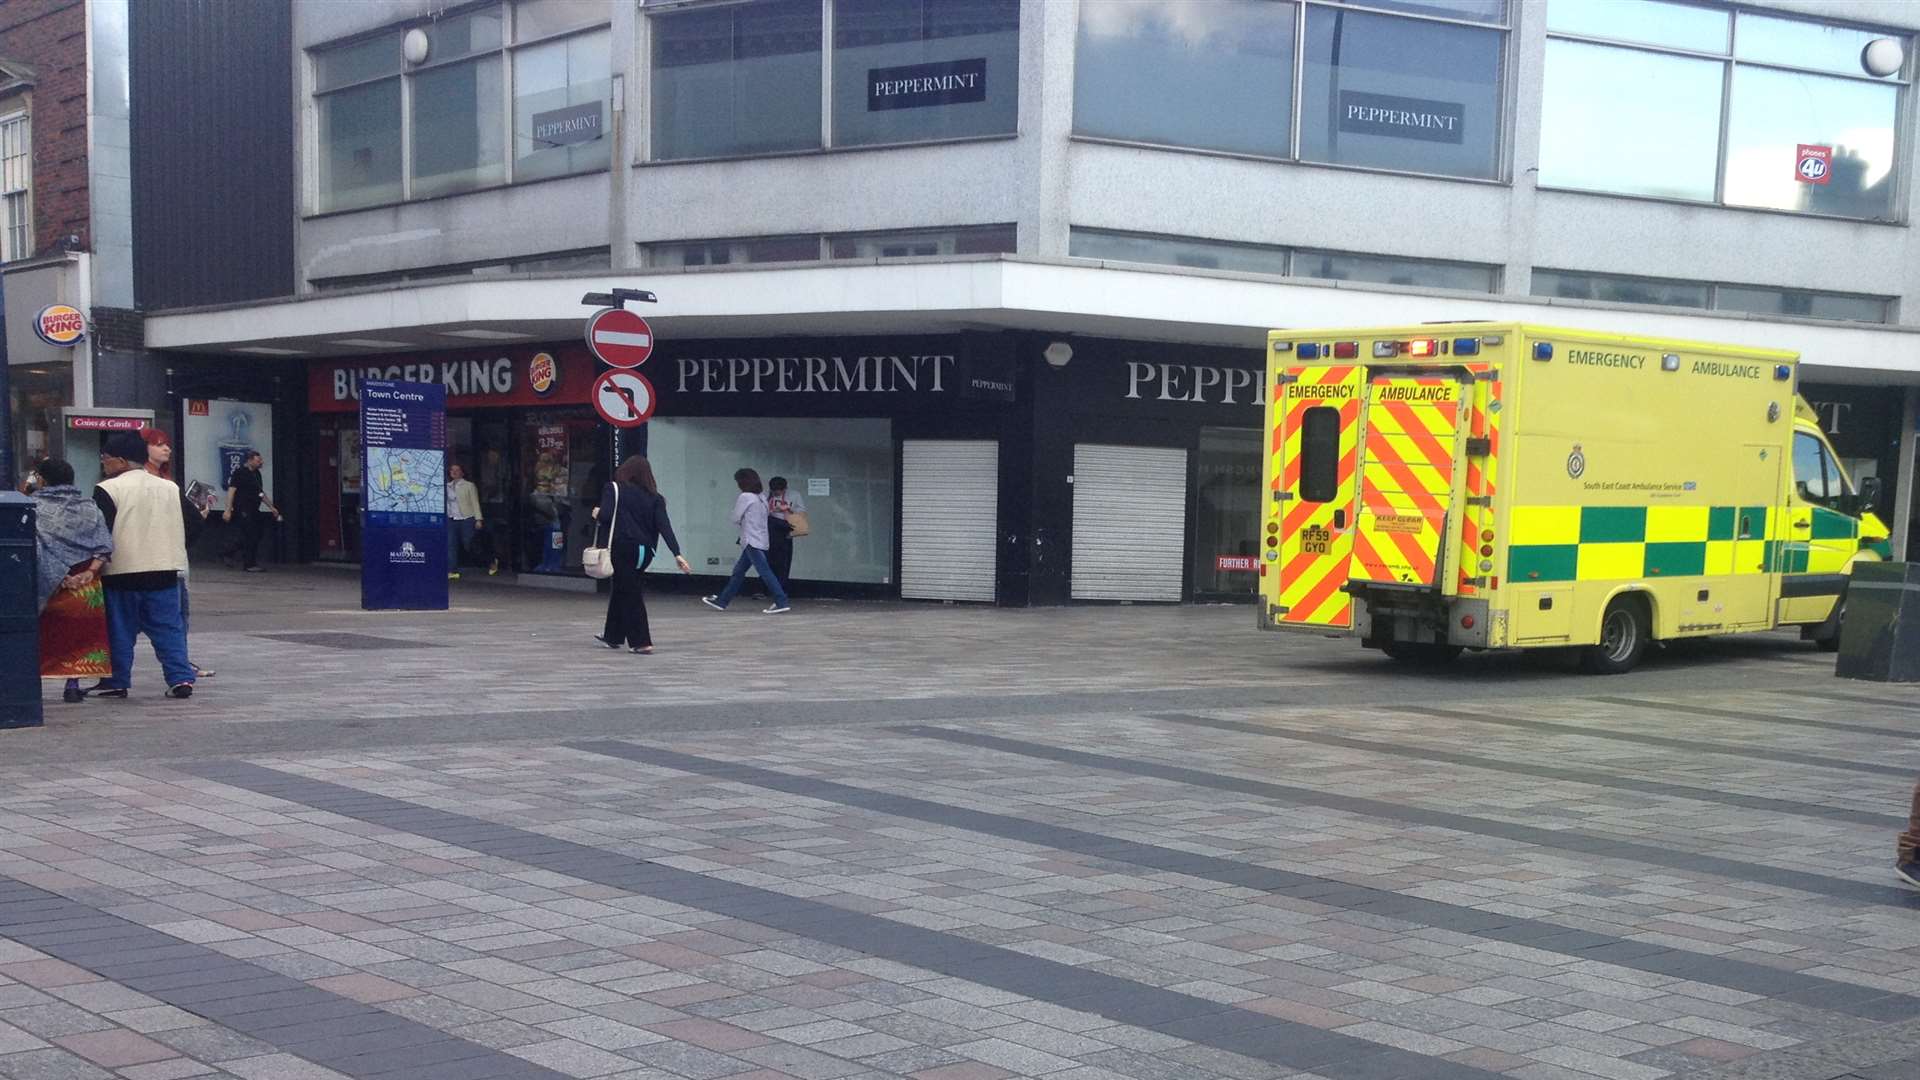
(909, 70)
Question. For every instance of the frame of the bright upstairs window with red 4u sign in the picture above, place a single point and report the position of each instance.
(1729, 61)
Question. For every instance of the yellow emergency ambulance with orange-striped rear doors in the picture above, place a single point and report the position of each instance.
(1495, 485)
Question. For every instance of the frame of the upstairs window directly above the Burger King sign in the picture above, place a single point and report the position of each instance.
(506, 53)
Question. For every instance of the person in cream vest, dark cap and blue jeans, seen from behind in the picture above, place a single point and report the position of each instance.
(153, 524)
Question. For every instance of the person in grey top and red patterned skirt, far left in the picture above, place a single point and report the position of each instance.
(74, 547)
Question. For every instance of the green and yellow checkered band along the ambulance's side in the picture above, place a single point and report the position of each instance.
(1627, 543)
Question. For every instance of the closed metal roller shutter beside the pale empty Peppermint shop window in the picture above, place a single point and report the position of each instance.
(949, 520)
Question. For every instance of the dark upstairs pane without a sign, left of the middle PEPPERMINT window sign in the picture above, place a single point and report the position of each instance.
(738, 80)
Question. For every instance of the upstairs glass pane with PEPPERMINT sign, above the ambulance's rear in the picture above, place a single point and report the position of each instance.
(1403, 95)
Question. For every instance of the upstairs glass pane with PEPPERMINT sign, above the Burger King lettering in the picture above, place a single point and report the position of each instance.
(560, 107)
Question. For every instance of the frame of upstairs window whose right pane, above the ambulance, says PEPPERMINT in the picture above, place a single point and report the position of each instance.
(1506, 93)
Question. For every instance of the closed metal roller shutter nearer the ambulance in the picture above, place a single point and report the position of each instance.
(1130, 522)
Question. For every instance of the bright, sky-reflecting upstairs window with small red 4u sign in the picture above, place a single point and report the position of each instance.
(1806, 118)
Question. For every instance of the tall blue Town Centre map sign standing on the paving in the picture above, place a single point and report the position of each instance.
(404, 549)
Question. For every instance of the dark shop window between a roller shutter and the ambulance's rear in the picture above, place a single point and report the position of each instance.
(1226, 516)
